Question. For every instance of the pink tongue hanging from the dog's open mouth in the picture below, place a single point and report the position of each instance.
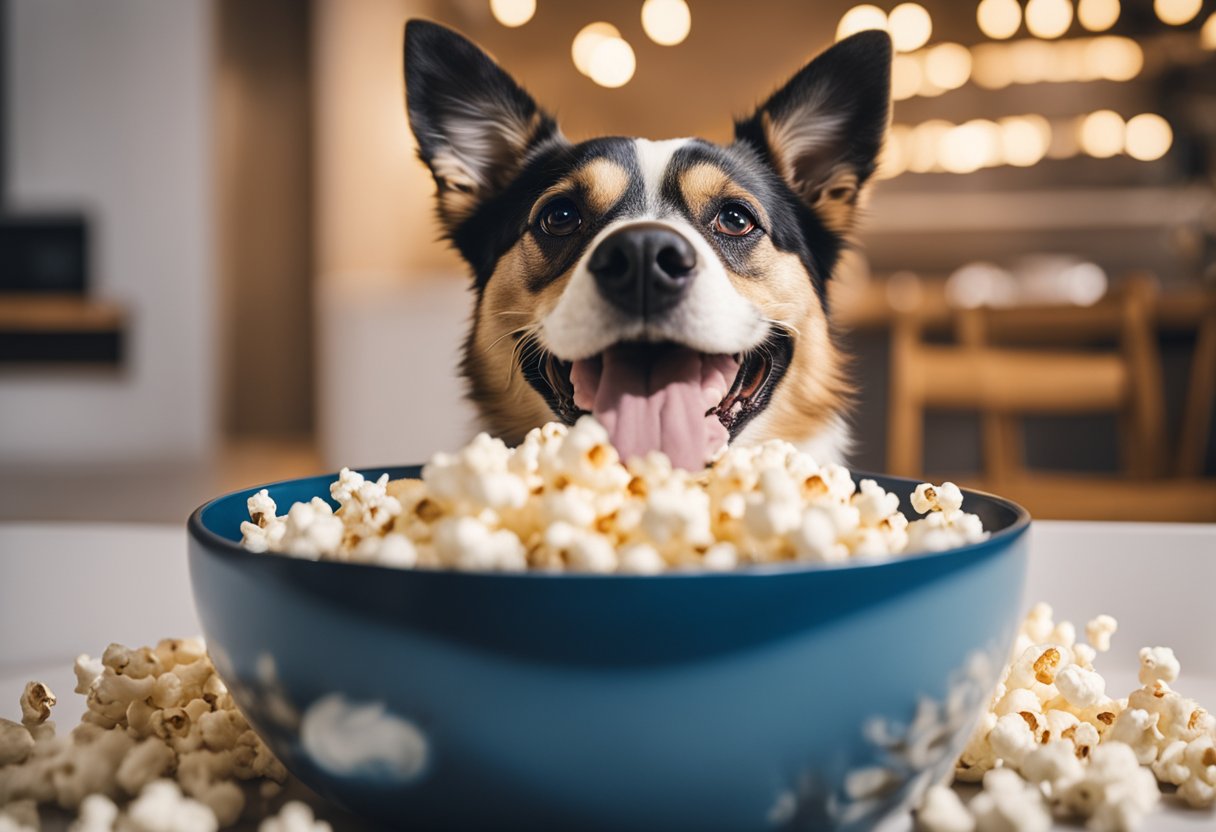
(655, 398)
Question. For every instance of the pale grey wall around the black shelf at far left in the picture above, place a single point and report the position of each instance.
(109, 111)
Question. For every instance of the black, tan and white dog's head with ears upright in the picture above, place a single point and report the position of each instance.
(674, 289)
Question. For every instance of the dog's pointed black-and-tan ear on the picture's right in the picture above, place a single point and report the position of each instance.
(824, 130)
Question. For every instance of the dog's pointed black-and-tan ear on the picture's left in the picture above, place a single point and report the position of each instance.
(475, 125)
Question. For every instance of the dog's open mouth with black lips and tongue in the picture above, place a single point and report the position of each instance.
(663, 396)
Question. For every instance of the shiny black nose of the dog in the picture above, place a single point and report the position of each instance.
(644, 271)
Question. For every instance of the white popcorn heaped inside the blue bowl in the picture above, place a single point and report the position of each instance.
(565, 502)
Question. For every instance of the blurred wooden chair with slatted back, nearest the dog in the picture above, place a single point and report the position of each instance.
(1012, 363)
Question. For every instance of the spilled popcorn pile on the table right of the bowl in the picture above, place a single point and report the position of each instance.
(1055, 745)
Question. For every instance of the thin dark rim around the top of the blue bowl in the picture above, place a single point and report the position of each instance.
(228, 549)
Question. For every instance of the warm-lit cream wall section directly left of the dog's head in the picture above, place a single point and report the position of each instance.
(391, 303)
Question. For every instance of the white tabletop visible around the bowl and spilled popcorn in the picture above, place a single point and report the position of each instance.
(67, 589)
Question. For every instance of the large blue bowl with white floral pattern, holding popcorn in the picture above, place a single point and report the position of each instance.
(793, 696)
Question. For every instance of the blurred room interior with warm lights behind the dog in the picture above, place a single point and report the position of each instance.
(219, 263)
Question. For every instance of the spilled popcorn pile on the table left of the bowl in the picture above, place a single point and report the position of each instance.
(161, 730)
